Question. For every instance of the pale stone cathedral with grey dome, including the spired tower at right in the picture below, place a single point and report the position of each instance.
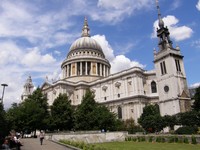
(128, 91)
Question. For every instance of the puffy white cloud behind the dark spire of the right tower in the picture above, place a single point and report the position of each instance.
(178, 33)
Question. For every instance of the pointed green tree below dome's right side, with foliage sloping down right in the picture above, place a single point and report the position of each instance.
(90, 115)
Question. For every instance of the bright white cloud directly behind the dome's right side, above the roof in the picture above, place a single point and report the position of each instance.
(119, 62)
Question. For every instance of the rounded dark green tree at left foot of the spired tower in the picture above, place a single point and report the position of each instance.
(150, 119)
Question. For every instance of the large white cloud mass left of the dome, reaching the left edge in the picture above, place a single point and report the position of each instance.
(14, 72)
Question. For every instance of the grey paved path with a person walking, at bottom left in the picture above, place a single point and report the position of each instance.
(34, 144)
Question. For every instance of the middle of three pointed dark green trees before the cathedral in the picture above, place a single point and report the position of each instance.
(62, 113)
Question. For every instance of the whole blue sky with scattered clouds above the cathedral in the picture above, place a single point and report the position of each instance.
(35, 36)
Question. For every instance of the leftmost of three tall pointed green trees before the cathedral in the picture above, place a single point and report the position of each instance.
(35, 111)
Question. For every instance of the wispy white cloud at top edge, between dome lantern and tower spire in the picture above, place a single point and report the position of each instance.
(115, 11)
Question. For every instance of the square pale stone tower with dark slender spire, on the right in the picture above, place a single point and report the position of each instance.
(171, 78)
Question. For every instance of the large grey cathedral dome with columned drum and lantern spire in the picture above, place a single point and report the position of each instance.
(85, 60)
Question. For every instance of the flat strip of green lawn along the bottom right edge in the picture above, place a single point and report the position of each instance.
(148, 146)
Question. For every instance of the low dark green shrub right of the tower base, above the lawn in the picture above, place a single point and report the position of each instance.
(186, 130)
